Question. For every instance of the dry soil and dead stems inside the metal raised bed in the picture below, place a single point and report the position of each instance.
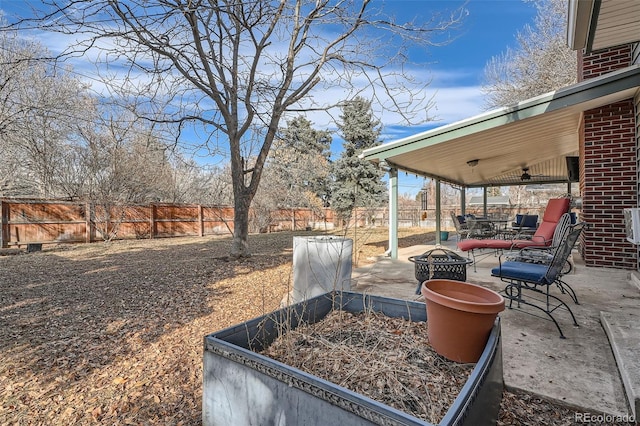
(386, 359)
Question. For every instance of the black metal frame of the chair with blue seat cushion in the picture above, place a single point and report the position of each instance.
(548, 303)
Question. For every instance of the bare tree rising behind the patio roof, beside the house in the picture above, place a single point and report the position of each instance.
(540, 63)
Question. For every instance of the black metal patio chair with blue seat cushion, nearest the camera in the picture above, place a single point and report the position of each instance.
(538, 278)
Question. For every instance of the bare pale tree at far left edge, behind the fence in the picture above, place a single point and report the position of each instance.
(40, 103)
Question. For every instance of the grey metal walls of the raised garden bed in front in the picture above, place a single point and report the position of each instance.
(241, 386)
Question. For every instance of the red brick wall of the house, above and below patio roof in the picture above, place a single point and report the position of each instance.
(609, 168)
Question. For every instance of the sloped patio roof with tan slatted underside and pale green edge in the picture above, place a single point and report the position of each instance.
(537, 133)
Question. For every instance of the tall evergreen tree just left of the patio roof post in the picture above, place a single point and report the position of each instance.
(357, 182)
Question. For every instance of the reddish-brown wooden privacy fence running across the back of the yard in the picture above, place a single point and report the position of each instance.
(27, 222)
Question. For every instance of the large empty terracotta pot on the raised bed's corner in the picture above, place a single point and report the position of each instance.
(460, 317)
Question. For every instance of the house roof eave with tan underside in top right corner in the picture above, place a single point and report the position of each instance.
(598, 24)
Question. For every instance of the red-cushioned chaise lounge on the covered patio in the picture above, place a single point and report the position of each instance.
(543, 237)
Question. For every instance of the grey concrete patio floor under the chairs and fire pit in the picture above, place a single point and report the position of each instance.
(581, 370)
